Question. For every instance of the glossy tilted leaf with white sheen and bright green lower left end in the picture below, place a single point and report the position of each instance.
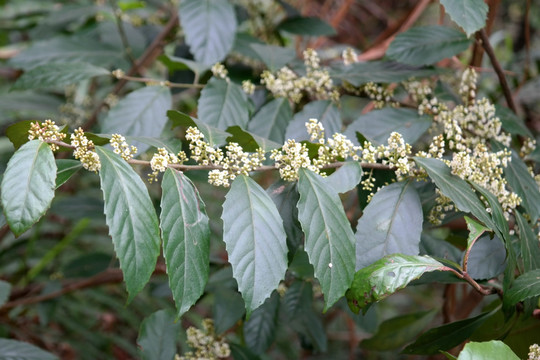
(386, 276)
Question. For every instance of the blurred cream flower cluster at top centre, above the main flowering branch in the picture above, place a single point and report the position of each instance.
(316, 83)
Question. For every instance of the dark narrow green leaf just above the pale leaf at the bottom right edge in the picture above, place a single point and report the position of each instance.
(447, 336)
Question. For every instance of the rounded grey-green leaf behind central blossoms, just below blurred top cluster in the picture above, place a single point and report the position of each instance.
(323, 110)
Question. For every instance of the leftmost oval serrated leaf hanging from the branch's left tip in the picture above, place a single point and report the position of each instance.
(28, 185)
